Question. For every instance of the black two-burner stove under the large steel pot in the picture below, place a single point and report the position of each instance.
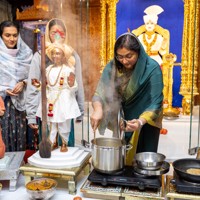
(126, 177)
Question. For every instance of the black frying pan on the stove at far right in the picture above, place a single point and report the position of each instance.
(182, 165)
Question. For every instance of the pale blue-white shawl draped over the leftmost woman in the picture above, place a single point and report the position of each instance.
(14, 67)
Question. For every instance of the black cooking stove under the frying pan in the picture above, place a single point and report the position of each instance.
(183, 186)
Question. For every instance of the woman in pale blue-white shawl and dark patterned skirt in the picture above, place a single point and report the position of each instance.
(15, 59)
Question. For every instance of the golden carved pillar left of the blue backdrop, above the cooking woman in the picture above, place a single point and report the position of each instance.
(108, 30)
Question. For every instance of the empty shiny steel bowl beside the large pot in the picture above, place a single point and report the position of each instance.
(149, 160)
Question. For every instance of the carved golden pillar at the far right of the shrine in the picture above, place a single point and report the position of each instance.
(190, 50)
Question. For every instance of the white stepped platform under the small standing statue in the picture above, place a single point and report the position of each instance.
(74, 157)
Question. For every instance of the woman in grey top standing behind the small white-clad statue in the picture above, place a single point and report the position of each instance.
(56, 32)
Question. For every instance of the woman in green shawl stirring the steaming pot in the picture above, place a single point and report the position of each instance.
(131, 84)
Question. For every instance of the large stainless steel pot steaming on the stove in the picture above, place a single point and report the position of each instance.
(108, 154)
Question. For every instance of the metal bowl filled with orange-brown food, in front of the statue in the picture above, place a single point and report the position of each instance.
(43, 188)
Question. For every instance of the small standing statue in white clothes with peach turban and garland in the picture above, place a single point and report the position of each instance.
(61, 86)
